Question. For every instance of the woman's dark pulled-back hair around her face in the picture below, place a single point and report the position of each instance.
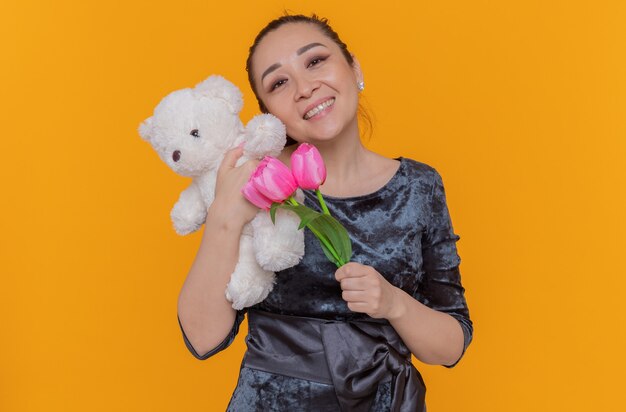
(320, 23)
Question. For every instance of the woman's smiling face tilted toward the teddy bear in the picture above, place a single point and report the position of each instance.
(303, 79)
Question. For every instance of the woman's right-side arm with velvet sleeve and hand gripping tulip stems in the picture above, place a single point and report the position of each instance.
(434, 323)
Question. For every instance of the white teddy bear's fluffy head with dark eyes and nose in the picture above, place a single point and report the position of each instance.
(192, 128)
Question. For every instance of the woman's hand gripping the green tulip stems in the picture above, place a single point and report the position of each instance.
(366, 290)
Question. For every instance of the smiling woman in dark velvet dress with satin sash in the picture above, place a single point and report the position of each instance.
(326, 338)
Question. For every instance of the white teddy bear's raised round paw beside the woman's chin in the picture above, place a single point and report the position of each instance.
(266, 136)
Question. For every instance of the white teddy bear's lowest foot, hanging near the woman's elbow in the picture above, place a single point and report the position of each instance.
(249, 285)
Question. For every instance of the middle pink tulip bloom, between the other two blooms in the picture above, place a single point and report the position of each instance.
(273, 179)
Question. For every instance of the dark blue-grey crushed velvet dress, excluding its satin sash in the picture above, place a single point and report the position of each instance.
(404, 231)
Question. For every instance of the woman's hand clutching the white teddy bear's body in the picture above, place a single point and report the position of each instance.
(229, 203)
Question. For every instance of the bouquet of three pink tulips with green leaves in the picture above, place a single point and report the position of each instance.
(272, 185)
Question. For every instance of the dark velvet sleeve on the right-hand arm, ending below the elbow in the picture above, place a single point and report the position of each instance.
(440, 287)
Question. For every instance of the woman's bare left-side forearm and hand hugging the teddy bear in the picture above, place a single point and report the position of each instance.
(205, 315)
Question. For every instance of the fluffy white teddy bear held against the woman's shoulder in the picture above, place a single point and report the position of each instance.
(191, 130)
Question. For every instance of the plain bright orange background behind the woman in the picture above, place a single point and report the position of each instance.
(520, 105)
